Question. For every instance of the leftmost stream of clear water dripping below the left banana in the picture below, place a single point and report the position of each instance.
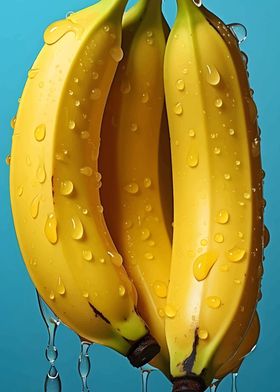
(52, 379)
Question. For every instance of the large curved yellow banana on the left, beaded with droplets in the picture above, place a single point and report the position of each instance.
(55, 185)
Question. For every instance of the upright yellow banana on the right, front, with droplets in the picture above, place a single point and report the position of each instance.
(218, 236)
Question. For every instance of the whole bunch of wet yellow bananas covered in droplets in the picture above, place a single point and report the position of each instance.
(136, 186)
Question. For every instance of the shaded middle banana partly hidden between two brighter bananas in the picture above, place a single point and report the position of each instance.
(135, 166)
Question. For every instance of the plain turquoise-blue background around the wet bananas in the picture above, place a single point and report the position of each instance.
(22, 333)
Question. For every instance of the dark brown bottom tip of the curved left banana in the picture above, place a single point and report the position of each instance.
(143, 351)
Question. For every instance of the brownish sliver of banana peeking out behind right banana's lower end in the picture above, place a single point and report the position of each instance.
(247, 346)
